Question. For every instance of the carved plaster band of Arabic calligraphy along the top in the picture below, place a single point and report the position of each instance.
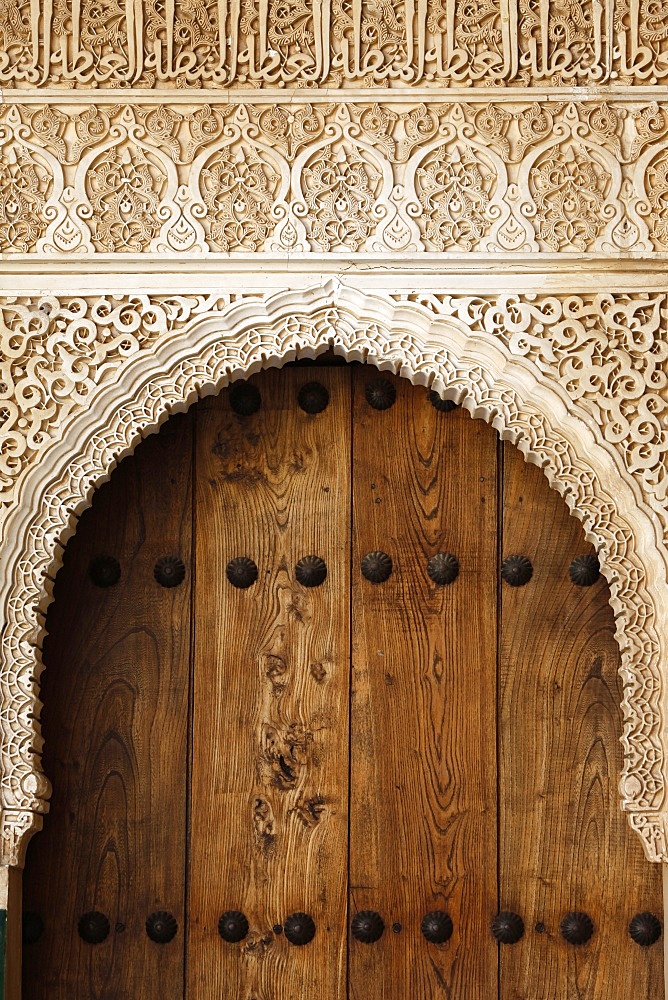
(307, 43)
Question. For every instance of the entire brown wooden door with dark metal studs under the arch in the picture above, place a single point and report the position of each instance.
(327, 716)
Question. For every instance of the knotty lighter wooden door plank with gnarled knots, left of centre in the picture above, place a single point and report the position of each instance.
(271, 684)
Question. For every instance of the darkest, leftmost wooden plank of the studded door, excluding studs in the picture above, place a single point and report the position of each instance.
(115, 692)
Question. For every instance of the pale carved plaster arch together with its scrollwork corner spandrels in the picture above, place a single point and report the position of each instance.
(578, 383)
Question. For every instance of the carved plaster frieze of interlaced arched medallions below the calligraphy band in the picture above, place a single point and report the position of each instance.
(360, 177)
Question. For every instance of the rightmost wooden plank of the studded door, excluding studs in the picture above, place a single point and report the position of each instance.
(564, 843)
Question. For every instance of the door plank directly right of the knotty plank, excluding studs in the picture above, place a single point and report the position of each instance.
(423, 777)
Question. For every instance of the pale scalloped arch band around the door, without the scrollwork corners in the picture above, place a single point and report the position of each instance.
(406, 335)
